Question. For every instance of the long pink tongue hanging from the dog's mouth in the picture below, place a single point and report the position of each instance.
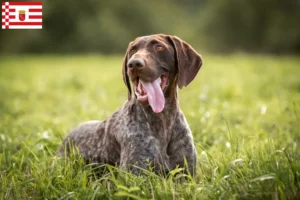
(155, 95)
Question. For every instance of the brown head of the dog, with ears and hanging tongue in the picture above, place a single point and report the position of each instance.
(155, 65)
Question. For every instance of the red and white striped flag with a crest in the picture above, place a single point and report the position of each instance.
(22, 15)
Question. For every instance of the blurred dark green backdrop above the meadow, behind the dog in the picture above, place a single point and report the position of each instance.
(98, 26)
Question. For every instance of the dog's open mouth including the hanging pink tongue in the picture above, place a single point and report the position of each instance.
(151, 92)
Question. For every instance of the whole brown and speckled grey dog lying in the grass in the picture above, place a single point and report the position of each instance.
(149, 130)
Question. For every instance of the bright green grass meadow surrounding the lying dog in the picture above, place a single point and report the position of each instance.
(244, 112)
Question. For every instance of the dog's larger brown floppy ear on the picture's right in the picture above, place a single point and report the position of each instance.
(188, 61)
